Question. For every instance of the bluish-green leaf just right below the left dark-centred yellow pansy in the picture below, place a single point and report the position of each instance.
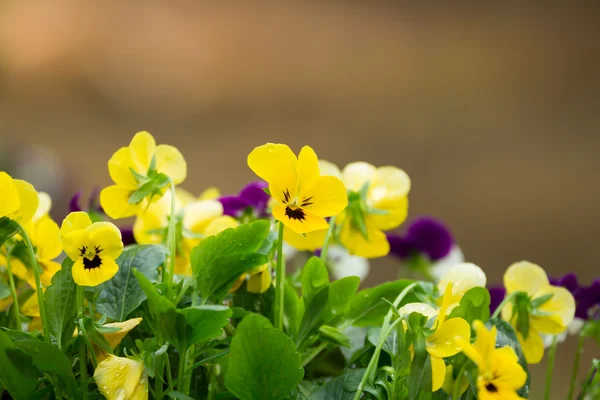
(123, 294)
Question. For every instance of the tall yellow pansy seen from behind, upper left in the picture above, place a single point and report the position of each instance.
(130, 167)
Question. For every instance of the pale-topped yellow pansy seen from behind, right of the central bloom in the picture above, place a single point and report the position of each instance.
(378, 201)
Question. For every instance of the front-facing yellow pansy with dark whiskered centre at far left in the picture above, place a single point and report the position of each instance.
(92, 247)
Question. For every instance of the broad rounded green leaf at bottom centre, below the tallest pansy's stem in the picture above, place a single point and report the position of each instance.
(263, 363)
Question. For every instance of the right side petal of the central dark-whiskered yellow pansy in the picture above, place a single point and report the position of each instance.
(326, 197)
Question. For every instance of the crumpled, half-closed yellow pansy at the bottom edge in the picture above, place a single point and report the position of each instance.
(120, 378)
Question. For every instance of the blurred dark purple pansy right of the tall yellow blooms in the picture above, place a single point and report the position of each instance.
(424, 235)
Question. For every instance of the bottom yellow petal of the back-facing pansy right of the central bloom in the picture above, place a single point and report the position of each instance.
(376, 245)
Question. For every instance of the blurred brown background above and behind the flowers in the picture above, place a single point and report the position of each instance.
(493, 112)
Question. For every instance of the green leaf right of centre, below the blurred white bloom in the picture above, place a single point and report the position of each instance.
(367, 309)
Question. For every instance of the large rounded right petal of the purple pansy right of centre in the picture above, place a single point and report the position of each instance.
(431, 237)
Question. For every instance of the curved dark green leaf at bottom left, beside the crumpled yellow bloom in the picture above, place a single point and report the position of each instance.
(48, 358)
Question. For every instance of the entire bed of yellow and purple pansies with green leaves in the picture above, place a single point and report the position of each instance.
(201, 305)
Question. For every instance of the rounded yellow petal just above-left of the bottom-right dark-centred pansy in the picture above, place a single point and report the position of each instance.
(443, 342)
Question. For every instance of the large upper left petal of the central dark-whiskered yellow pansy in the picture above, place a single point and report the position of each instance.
(275, 164)
